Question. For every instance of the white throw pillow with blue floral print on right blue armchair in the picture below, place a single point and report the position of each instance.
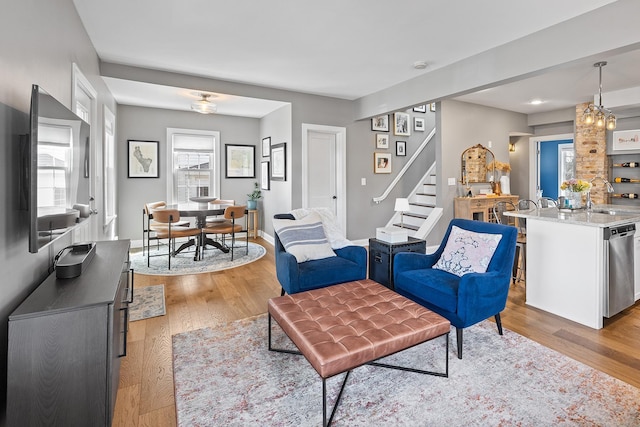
(467, 252)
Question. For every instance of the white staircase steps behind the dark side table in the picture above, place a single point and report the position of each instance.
(423, 213)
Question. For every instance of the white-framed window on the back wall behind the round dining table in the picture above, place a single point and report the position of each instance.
(193, 162)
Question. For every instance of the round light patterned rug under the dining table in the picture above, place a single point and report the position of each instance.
(183, 263)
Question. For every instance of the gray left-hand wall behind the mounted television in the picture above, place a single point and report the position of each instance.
(41, 40)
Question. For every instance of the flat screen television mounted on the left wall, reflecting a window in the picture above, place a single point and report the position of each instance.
(57, 170)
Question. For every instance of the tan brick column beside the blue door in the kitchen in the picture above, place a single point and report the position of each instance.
(591, 155)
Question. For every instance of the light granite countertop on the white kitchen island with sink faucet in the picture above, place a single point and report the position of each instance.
(602, 215)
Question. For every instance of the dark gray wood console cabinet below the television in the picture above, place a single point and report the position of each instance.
(65, 344)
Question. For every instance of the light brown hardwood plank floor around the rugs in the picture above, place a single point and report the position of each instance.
(145, 395)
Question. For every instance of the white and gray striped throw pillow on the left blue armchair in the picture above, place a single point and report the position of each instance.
(304, 238)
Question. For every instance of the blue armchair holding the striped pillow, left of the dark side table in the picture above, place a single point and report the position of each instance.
(349, 264)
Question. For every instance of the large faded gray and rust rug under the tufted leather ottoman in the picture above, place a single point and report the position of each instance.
(226, 376)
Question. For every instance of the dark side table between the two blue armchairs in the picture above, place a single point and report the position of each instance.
(381, 257)
